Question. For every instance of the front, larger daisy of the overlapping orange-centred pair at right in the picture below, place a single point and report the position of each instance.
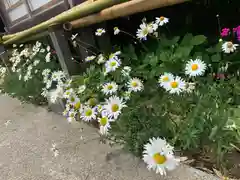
(177, 85)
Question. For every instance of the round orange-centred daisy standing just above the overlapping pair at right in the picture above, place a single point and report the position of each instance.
(195, 68)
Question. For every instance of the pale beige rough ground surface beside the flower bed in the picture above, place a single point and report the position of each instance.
(25, 154)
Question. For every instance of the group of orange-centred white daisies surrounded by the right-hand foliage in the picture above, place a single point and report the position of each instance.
(176, 85)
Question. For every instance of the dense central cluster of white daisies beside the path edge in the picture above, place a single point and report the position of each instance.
(115, 94)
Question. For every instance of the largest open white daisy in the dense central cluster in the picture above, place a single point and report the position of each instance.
(113, 106)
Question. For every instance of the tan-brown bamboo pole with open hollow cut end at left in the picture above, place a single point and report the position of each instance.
(120, 10)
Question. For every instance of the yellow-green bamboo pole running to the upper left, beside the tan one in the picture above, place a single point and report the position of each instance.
(76, 12)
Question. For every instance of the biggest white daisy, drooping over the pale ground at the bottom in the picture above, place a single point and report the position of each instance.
(158, 155)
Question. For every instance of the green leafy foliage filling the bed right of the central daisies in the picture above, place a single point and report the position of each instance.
(192, 121)
